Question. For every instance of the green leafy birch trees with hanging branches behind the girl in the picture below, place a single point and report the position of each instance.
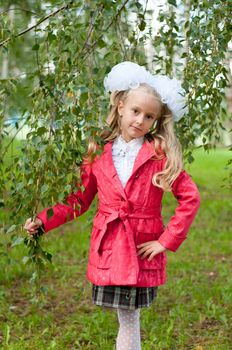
(54, 57)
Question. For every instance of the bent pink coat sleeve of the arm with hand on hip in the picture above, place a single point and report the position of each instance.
(188, 197)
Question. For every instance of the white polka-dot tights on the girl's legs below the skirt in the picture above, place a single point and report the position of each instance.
(129, 330)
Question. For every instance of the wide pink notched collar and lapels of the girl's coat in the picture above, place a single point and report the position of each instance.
(106, 163)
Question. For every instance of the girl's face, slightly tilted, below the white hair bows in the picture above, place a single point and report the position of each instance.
(138, 113)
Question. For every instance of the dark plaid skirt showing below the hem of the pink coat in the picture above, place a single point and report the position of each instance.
(123, 297)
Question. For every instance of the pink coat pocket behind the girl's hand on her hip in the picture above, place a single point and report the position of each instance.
(159, 260)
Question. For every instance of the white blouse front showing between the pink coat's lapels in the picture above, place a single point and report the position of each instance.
(124, 154)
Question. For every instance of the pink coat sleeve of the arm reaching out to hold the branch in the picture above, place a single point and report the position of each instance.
(76, 203)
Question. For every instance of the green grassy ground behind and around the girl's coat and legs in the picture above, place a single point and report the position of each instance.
(192, 311)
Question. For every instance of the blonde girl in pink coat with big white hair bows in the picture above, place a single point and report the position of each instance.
(141, 159)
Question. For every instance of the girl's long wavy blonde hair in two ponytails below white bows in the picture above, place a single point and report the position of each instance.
(162, 134)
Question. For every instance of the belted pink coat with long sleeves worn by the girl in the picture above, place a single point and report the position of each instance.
(127, 217)
